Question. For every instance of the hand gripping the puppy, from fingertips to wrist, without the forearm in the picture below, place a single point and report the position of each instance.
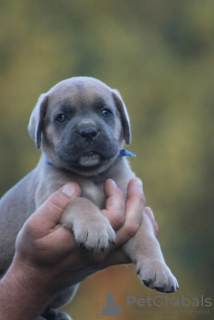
(48, 253)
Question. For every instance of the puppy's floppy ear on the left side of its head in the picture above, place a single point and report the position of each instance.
(37, 116)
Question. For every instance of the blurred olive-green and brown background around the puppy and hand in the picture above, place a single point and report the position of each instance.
(160, 55)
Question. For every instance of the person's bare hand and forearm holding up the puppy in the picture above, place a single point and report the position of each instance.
(47, 258)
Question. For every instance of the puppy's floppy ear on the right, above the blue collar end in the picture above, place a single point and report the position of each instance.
(124, 115)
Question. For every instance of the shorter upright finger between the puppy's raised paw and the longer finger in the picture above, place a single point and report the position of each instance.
(115, 204)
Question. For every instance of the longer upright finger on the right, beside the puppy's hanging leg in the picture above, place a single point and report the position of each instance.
(134, 209)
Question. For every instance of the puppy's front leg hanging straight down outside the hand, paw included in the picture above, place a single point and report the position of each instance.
(144, 250)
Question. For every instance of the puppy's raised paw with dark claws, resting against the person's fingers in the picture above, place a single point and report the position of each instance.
(94, 234)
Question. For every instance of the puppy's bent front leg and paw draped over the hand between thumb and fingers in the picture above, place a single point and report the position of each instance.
(88, 224)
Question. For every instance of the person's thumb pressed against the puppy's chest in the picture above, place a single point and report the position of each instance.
(48, 215)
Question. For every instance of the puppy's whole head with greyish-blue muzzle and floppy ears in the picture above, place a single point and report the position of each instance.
(81, 125)
